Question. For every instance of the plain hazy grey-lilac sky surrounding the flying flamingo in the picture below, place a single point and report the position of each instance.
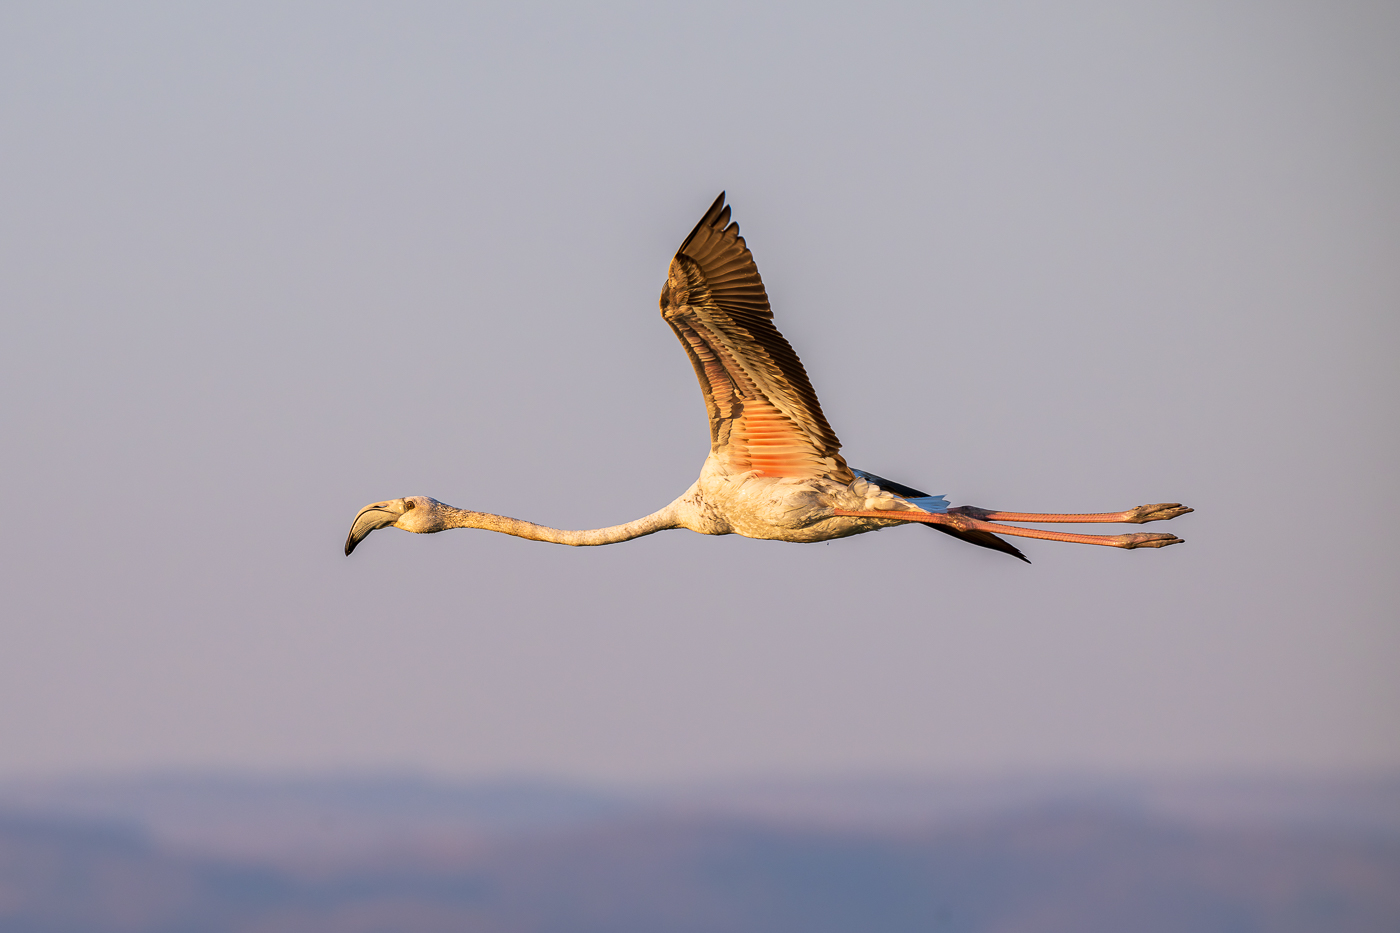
(268, 263)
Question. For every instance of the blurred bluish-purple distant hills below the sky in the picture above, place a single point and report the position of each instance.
(359, 855)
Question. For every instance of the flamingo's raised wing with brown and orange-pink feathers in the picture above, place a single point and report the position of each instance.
(764, 414)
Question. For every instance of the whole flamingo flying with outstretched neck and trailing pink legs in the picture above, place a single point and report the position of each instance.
(775, 469)
